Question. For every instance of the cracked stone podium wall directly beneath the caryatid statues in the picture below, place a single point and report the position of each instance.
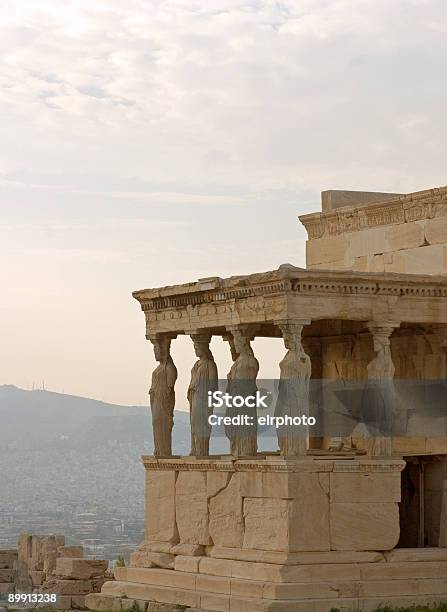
(268, 505)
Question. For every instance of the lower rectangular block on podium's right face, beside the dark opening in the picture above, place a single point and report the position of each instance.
(355, 526)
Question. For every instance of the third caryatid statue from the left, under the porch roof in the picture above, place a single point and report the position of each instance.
(242, 382)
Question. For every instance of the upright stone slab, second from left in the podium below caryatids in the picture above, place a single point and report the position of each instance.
(192, 508)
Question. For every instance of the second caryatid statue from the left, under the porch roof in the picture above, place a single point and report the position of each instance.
(203, 380)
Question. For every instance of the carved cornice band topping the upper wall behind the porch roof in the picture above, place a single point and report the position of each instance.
(426, 204)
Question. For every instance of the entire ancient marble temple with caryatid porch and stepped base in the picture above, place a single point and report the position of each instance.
(327, 521)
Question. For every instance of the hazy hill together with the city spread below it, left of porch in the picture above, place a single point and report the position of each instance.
(62, 456)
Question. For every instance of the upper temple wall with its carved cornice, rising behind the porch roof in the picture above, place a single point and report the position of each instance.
(407, 235)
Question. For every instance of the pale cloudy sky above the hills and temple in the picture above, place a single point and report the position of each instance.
(152, 142)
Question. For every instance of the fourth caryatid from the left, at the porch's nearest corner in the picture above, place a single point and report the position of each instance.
(293, 392)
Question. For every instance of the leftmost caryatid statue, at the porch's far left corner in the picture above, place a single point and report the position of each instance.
(162, 396)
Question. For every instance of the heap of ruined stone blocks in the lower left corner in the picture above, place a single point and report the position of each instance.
(45, 564)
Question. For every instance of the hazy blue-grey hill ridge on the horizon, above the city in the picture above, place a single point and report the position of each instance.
(38, 419)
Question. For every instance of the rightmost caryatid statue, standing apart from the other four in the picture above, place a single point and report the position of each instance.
(380, 406)
